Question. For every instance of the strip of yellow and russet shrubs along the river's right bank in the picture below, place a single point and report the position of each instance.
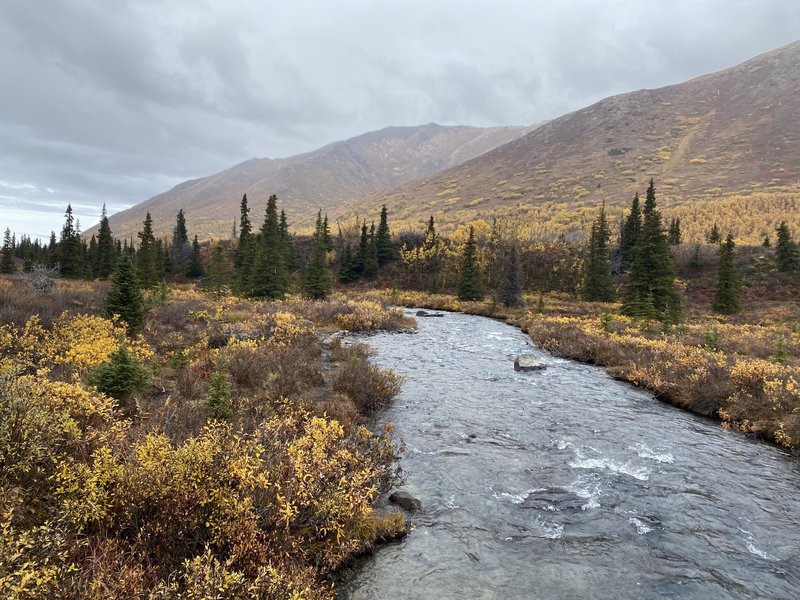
(743, 374)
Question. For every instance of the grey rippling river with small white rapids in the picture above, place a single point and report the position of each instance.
(566, 484)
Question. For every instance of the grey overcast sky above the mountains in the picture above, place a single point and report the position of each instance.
(115, 101)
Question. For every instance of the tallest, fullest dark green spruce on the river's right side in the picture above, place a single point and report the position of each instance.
(650, 292)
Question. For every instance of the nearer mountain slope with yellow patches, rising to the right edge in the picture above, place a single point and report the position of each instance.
(734, 132)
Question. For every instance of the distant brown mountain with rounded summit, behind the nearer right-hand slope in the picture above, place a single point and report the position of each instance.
(322, 179)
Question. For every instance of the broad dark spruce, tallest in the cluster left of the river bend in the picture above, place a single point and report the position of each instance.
(270, 275)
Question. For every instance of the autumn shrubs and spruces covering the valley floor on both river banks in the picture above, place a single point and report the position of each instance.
(173, 425)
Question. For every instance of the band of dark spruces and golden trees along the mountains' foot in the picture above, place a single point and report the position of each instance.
(476, 260)
